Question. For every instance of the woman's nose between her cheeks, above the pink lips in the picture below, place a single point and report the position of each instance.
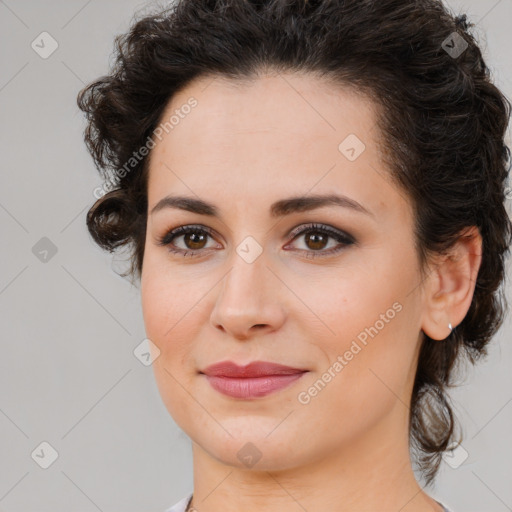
(249, 300)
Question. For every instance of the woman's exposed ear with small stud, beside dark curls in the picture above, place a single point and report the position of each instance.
(450, 285)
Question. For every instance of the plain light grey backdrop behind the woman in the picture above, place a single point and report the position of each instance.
(69, 325)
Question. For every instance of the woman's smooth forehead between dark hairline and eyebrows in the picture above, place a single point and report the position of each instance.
(276, 133)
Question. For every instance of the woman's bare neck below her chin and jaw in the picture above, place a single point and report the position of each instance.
(371, 473)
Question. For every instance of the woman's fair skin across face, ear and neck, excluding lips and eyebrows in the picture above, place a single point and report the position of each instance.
(243, 147)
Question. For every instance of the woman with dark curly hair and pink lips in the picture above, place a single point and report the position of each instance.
(314, 194)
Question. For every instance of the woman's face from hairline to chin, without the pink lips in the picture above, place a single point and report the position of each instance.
(347, 308)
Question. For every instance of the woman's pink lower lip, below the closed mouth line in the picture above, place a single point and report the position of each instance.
(252, 387)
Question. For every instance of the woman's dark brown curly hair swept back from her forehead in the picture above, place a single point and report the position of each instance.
(442, 120)
